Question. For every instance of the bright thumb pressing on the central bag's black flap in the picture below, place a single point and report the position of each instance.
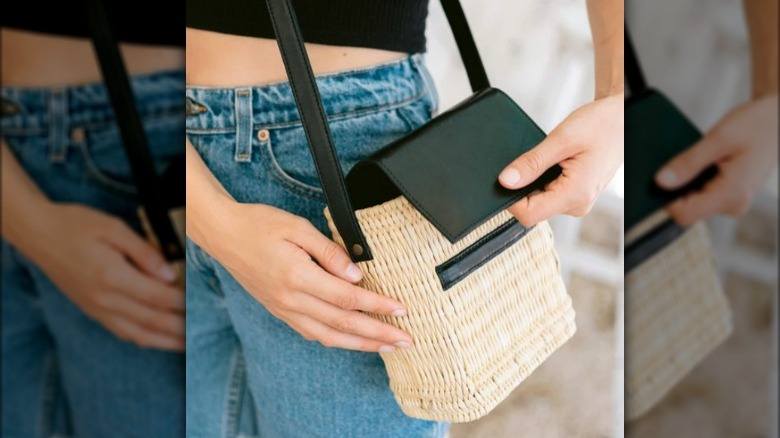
(531, 165)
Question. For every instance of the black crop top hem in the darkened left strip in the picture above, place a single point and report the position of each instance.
(136, 21)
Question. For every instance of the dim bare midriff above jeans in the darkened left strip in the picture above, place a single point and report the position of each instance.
(36, 60)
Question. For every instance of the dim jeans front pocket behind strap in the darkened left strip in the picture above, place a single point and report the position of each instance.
(105, 159)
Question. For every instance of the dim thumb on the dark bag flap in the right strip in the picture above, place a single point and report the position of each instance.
(686, 166)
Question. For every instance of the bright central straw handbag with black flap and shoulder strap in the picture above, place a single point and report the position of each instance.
(425, 219)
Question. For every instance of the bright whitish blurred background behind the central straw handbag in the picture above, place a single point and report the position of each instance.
(540, 53)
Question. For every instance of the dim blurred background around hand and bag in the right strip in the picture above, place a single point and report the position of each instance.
(697, 53)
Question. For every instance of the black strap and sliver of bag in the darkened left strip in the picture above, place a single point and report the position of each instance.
(162, 197)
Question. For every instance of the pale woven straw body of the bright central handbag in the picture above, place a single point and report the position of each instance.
(475, 342)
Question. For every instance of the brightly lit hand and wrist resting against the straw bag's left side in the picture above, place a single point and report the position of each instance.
(299, 275)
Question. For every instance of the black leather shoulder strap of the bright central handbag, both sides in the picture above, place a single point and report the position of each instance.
(315, 122)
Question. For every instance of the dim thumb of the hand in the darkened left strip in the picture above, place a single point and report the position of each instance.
(145, 256)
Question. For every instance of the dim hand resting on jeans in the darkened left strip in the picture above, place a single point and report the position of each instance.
(112, 274)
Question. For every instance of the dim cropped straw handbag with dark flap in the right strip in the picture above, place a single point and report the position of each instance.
(676, 311)
